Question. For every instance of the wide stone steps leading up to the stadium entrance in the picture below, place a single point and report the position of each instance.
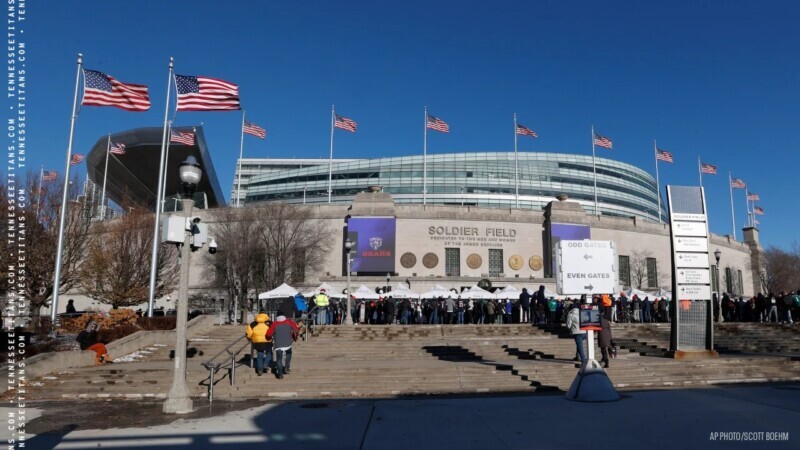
(390, 361)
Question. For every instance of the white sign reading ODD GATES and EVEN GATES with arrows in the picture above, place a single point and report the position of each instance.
(586, 267)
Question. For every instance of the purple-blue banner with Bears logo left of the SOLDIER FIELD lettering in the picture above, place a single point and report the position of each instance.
(374, 239)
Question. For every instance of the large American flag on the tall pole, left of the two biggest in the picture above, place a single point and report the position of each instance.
(100, 89)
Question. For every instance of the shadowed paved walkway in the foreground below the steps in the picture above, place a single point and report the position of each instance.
(765, 417)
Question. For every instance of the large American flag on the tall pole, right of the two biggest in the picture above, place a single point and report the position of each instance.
(206, 94)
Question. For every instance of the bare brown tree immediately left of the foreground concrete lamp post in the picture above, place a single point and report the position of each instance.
(116, 270)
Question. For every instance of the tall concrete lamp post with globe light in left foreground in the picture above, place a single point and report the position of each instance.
(178, 400)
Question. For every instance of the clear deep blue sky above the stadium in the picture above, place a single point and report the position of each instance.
(714, 78)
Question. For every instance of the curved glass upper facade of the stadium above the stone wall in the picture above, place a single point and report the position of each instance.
(484, 179)
